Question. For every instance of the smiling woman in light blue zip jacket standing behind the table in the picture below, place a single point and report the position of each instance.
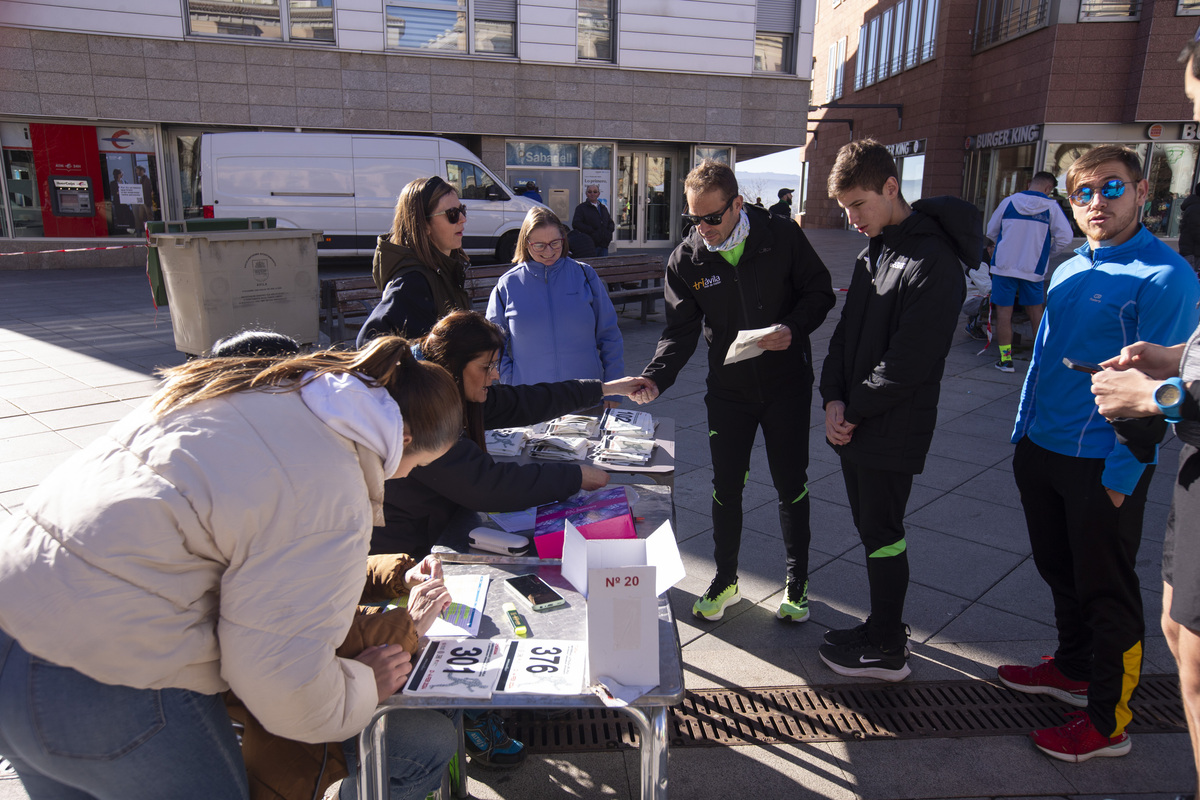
(556, 312)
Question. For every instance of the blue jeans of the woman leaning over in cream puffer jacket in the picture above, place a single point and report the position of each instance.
(73, 738)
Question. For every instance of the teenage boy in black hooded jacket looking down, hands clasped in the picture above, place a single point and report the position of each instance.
(883, 378)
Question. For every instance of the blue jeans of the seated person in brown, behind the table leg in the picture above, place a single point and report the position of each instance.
(421, 743)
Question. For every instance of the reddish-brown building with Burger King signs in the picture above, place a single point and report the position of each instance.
(975, 97)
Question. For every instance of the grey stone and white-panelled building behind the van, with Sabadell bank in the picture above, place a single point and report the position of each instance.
(100, 130)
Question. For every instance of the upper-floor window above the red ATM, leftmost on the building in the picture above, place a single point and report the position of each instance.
(286, 21)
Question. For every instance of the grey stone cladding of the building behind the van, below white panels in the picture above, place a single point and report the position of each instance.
(111, 80)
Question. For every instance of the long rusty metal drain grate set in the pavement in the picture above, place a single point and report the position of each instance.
(796, 714)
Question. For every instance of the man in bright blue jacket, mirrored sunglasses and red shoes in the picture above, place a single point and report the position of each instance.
(1084, 492)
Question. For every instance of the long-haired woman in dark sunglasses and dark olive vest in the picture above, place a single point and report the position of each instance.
(419, 266)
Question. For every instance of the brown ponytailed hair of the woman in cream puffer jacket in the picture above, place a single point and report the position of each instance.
(427, 394)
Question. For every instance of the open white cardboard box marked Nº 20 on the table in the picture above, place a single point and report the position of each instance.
(622, 580)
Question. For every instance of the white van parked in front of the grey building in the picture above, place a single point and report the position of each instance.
(347, 187)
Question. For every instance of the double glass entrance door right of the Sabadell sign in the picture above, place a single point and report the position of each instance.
(645, 208)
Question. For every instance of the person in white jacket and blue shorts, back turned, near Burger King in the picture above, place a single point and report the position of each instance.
(1029, 228)
